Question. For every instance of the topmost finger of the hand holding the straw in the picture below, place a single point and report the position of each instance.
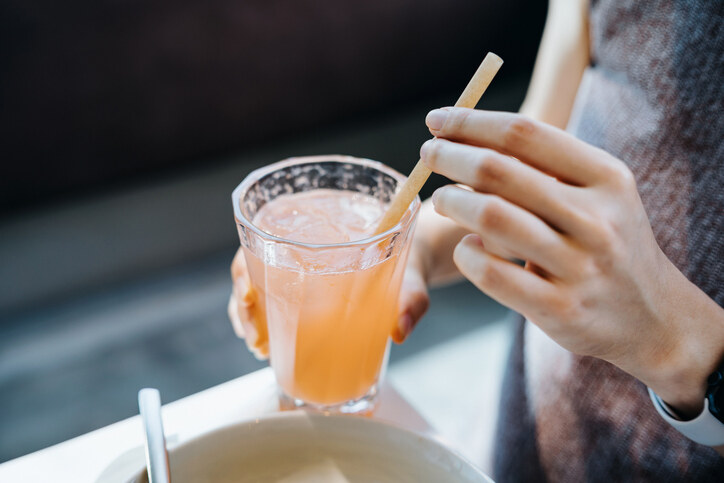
(541, 145)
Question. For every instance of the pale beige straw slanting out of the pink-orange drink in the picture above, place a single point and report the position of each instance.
(469, 98)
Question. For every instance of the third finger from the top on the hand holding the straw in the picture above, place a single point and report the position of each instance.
(504, 224)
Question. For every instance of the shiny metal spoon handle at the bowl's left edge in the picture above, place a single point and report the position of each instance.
(149, 402)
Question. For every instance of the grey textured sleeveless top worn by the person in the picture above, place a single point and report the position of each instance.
(653, 96)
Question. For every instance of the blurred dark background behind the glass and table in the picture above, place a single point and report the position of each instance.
(124, 127)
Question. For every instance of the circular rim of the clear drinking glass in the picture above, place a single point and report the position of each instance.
(260, 172)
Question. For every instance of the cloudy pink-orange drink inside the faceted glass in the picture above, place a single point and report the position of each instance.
(329, 316)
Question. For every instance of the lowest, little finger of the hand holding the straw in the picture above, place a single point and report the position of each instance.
(508, 283)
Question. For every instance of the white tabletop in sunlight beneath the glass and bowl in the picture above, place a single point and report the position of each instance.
(454, 388)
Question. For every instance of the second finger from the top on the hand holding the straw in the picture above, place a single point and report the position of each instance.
(488, 171)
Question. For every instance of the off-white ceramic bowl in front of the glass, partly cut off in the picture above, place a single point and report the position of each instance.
(302, 447)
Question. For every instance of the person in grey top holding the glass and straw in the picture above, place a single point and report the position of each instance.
(608, 184)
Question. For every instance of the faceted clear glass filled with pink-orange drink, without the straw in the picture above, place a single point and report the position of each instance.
(323, 287)
